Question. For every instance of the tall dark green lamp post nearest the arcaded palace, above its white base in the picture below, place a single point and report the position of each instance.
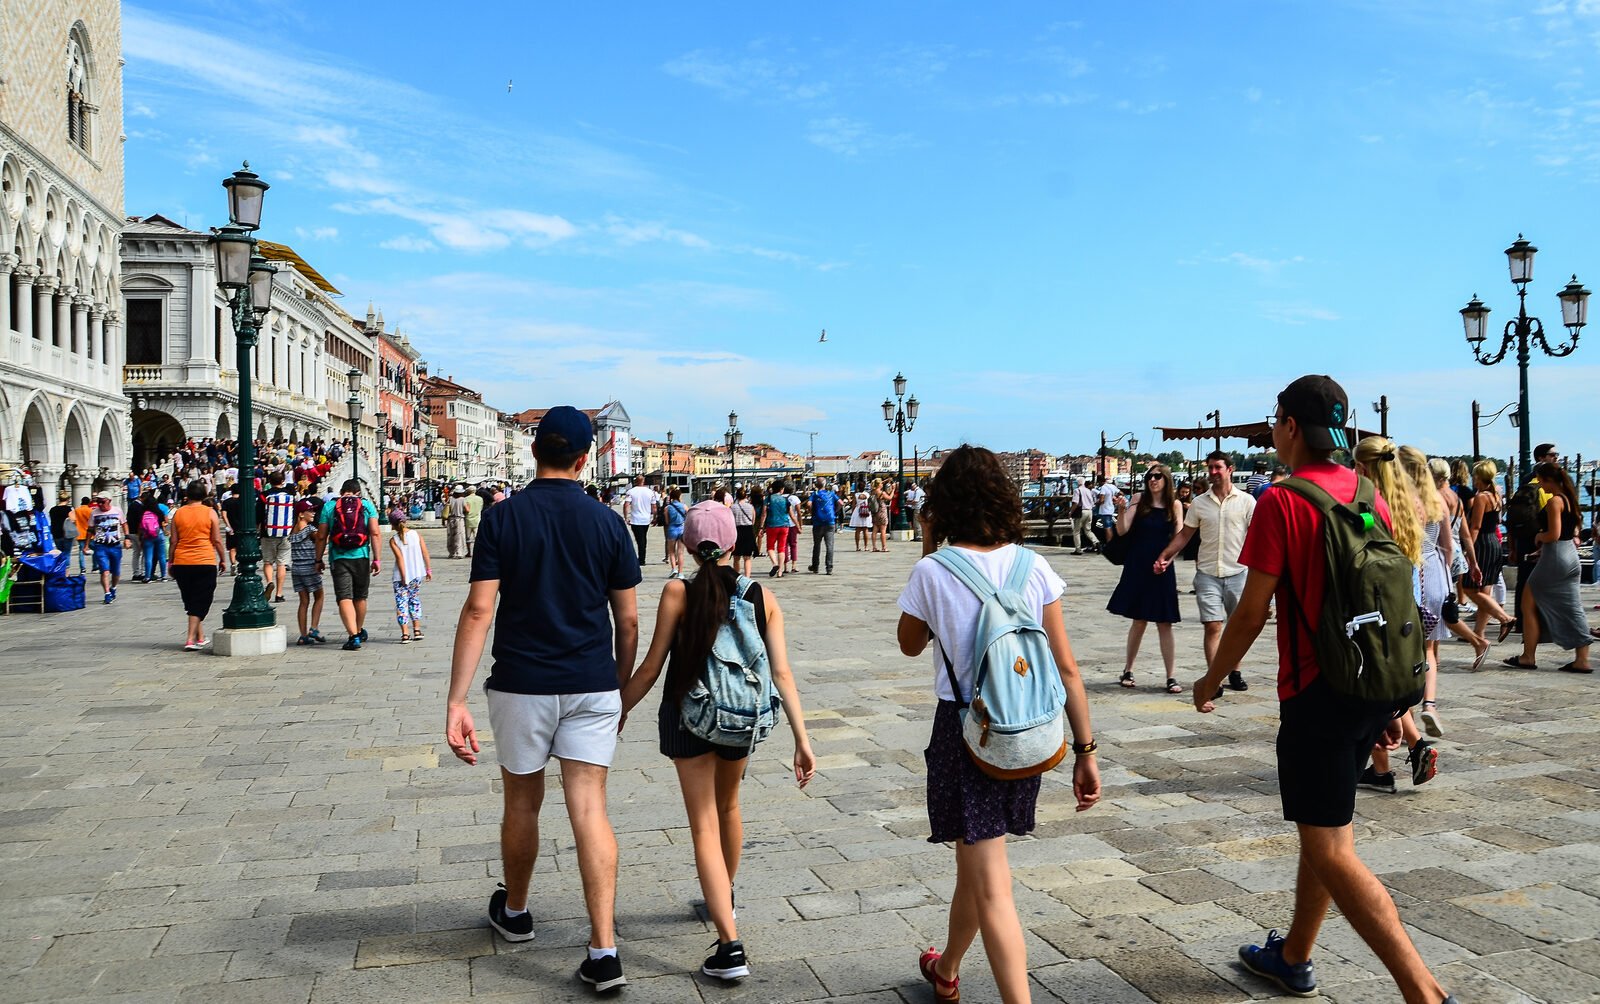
(247, 279)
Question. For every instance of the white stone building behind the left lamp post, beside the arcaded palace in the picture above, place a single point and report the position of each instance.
(182, 354)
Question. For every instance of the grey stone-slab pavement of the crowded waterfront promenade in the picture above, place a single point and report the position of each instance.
(178, 827)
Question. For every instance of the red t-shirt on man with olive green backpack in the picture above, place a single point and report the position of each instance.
(1286, 535)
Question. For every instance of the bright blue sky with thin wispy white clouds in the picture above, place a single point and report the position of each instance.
(1055, 218)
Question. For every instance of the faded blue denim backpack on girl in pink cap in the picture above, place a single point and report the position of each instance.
(735, 703)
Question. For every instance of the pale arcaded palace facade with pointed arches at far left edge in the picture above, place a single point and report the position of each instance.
(63, 413)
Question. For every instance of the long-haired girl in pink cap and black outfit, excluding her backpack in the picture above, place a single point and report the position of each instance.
(689, 621)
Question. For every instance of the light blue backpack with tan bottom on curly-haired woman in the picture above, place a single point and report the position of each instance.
(1015, 722)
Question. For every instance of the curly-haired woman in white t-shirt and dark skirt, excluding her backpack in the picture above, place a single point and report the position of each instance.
(975, 508)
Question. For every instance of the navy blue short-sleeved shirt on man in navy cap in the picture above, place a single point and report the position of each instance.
(558, 556)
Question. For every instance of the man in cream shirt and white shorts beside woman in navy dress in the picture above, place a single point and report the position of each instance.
(1223, 517)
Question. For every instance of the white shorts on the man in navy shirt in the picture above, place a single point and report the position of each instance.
(534, 728)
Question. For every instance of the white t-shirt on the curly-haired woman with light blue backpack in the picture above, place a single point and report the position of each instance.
(943, 602)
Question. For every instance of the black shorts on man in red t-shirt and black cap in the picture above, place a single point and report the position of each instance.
(1324, 743)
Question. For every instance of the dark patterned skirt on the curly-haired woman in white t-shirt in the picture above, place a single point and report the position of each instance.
(964, 803)
